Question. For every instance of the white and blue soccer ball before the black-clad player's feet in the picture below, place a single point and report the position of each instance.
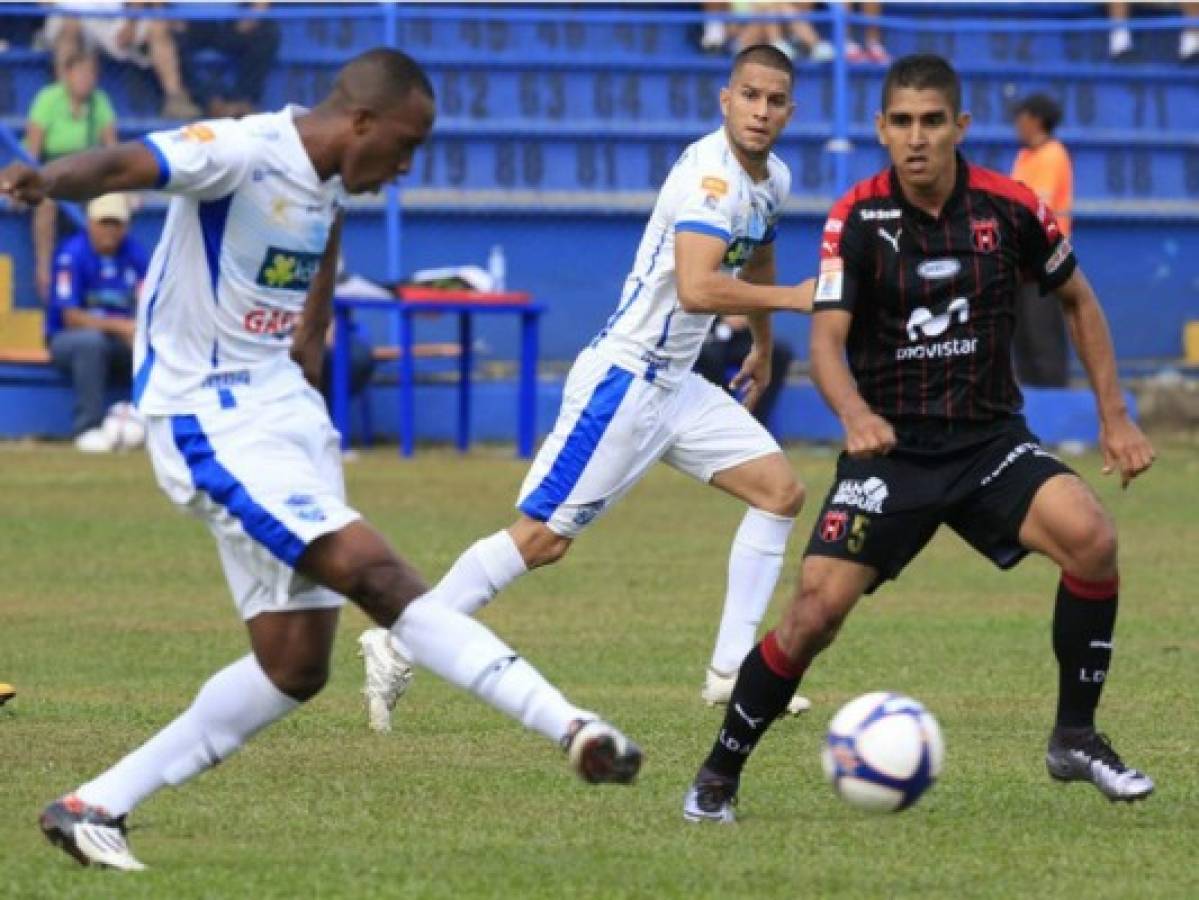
(883, 752)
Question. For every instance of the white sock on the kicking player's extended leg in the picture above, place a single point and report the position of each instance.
(466, 654)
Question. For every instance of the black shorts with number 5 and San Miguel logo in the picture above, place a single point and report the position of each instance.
(882, 512)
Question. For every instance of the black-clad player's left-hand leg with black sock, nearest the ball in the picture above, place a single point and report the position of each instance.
(770, 676)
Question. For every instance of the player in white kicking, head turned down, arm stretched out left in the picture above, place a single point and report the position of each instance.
(231, 337)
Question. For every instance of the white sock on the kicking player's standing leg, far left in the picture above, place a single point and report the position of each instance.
(231, 709)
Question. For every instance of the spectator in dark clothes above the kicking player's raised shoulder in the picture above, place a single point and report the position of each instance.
(249, 46)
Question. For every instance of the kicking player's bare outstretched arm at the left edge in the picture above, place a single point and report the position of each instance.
(82, 177)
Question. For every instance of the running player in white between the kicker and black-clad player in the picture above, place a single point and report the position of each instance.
(632, 398)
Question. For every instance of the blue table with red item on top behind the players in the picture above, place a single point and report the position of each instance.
(466, 305)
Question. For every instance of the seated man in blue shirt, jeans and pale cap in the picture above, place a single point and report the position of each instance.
(91, 322)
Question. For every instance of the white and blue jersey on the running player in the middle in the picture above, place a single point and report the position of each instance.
(707, 192)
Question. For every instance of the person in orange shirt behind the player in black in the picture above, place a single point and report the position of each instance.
(1040, 346)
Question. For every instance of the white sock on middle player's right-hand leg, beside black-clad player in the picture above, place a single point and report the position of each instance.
(755, 565)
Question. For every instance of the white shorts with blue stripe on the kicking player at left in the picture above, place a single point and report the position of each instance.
(268, 482)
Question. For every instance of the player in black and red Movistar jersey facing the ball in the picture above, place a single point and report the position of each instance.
(912, 348)
